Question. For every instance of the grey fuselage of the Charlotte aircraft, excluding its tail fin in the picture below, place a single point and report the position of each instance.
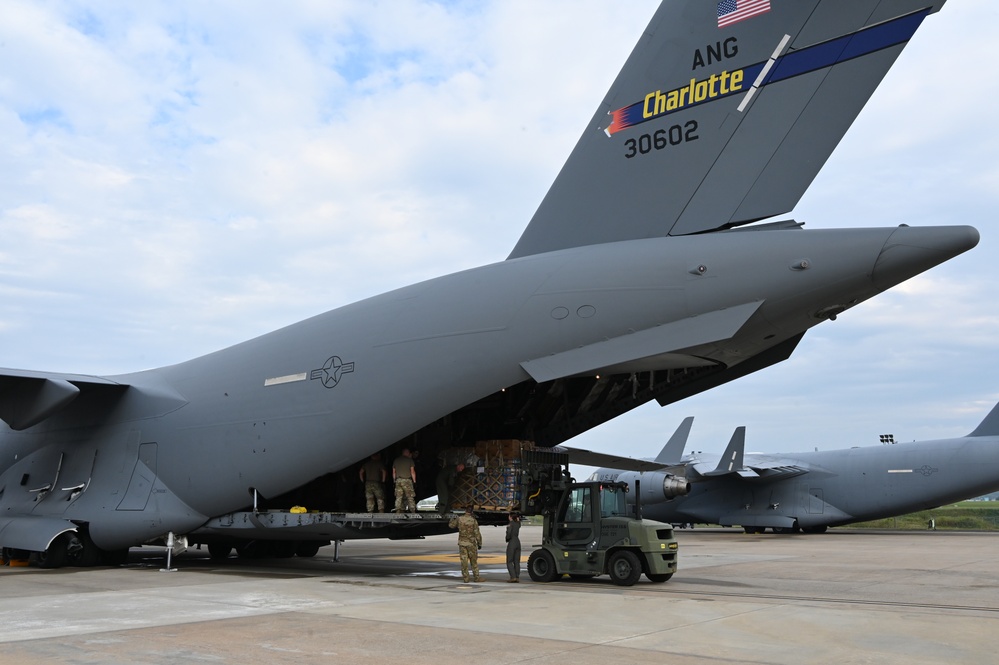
(193, 440)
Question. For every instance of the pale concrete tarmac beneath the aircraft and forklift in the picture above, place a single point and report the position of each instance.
(842, 597)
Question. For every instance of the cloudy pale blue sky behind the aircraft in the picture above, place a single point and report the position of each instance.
(177, 177)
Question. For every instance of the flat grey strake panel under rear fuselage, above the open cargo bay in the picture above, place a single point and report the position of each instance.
(644, 344)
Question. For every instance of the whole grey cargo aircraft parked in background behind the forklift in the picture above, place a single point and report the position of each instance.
(807, 491)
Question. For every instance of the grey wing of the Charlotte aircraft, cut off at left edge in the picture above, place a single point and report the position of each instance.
(27, 398)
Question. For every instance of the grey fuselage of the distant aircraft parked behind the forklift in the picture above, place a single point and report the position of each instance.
(843, 486)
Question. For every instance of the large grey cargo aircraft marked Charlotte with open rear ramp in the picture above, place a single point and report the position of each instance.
(640, 277)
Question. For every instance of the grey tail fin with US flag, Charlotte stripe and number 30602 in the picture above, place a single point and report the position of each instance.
(722, 115)
